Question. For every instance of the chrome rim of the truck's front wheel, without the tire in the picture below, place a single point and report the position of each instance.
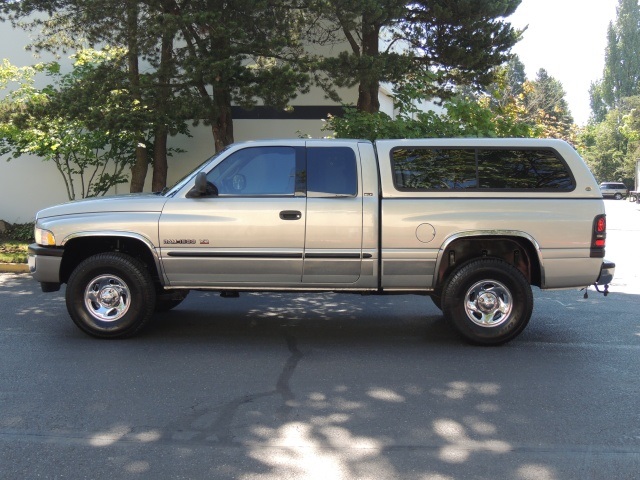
(107, 298)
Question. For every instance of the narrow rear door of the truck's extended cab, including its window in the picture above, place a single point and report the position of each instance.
(333, 240)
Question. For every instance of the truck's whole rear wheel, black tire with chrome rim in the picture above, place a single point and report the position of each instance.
(488, 301)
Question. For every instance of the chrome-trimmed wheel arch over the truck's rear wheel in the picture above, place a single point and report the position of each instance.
(516, 248)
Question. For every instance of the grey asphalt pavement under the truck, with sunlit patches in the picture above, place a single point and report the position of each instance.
(327, 386)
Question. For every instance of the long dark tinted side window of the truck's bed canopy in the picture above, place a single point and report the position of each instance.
(484, 169)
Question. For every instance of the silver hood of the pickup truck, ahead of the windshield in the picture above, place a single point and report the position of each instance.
(134, 202)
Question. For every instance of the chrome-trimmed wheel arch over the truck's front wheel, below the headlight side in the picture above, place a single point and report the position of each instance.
(80, 246)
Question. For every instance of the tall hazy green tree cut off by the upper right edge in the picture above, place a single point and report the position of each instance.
(621, 74)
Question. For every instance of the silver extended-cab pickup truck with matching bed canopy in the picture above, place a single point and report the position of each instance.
(473, 223)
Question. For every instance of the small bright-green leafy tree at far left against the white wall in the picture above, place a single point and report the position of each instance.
(90, 161)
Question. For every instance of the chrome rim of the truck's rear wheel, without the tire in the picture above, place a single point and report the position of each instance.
(488, 303)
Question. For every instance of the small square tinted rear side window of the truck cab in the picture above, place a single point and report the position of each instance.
(331, 171)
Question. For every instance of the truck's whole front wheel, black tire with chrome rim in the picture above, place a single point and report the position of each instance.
(110, 295)
